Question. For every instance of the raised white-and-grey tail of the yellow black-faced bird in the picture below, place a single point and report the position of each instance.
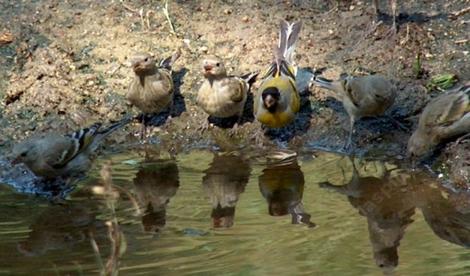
(288, 35)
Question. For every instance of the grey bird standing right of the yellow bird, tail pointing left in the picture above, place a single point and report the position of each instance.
(363, 96)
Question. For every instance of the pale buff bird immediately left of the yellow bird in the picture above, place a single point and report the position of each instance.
(221, 95)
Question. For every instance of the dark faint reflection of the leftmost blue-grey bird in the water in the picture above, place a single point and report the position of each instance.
(61, 227)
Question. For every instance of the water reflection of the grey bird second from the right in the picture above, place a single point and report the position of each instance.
(386, 200)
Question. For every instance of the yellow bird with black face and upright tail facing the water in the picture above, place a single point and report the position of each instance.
(277, 100)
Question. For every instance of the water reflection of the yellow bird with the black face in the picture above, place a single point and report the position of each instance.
(282, 185)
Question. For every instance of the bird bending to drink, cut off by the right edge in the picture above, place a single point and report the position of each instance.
(444, 117)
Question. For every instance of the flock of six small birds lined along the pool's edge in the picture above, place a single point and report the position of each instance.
(276, 103)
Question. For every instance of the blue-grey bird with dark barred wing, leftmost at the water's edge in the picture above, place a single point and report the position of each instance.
(54, 155)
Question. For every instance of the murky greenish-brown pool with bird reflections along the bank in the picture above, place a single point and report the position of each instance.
(206, 214)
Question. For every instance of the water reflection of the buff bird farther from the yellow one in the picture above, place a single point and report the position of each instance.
(155, 184)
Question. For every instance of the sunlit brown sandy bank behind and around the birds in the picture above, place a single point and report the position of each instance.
(68, 65)
